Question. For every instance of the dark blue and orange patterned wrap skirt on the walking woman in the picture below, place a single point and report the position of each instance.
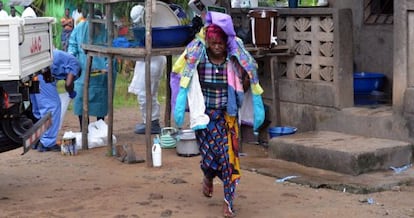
(219, 148)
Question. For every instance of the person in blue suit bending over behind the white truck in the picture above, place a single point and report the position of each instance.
(65, 67)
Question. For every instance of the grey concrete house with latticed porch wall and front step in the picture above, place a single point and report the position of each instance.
(315, 90)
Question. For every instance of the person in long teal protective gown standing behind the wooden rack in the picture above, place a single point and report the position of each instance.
(98, 83)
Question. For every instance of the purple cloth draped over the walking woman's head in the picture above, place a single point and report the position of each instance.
(225, 22)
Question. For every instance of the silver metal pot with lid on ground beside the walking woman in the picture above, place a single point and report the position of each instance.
(186, 144)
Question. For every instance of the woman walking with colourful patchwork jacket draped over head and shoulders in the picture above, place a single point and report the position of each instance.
(217, 73)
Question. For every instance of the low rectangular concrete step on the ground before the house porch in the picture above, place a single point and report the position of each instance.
(340, 152)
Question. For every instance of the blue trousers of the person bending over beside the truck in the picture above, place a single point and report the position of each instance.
(47, 101)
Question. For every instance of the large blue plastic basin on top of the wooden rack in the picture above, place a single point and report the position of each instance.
(165, 37)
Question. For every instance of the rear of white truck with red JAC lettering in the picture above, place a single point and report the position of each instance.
(25, 49)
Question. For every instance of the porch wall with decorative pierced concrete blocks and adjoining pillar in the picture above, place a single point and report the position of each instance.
(318, 79)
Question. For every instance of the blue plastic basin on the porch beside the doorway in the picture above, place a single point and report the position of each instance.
(366, 82)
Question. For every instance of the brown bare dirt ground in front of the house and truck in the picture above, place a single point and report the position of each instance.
(92, 184)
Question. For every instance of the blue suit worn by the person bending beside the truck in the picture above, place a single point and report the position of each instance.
(48, 99)
